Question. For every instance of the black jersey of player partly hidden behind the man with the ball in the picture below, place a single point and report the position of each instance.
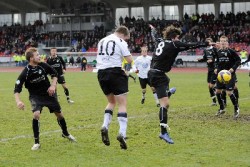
(209, 54)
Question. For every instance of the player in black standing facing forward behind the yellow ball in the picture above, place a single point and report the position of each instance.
(227, 59)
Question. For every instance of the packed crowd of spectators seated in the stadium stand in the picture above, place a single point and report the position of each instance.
(15, 39)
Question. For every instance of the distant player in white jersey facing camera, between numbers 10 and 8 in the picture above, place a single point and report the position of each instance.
(142, 65)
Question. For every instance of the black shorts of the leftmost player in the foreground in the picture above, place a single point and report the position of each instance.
(38, 102)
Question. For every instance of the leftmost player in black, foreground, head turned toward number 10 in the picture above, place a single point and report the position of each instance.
(41, 93)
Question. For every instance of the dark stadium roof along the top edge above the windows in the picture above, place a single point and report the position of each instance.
(29, 6)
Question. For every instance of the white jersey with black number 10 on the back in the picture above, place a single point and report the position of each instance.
(111, 50)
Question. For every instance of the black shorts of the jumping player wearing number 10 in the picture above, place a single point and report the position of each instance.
(113, 80)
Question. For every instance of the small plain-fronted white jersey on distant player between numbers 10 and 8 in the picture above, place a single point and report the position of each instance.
(143, 65)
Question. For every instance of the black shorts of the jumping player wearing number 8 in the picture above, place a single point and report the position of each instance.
(160, 81)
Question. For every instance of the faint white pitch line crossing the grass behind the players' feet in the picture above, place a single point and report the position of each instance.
(93, 125)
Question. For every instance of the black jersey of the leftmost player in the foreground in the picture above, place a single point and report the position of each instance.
(35, 79)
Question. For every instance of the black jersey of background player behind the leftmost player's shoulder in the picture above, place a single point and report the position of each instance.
(57, 63)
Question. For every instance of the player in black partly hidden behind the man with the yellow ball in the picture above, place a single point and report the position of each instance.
(209, 57)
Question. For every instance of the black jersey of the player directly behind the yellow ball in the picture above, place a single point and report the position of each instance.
(226, 59)
